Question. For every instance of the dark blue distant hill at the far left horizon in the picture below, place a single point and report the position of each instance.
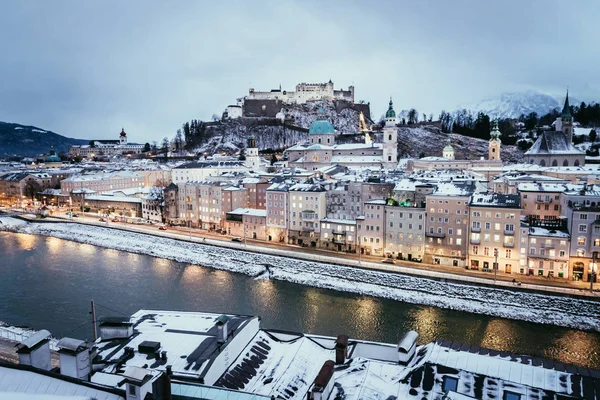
(29, 141)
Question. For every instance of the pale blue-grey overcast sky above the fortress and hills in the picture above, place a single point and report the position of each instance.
(86, 68)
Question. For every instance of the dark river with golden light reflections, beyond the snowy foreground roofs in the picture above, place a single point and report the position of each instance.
(47, 283)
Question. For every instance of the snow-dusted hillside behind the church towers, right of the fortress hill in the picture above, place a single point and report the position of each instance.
(430, 140)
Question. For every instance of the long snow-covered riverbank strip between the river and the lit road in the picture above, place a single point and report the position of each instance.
(547, 309)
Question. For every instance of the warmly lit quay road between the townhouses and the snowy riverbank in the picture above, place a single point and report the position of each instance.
(552, 285)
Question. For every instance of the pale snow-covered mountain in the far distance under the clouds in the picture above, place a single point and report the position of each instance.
(512, 105)
